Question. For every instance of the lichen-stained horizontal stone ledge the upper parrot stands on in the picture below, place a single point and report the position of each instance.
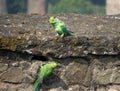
(98, 35)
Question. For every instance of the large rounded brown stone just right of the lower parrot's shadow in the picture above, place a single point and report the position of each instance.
(76, 71)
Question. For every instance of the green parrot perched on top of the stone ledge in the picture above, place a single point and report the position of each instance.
(60, 27)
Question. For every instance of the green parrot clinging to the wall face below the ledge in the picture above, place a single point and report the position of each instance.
(45, 71)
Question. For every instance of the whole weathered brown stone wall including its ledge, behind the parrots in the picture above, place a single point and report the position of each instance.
(88, 62)
